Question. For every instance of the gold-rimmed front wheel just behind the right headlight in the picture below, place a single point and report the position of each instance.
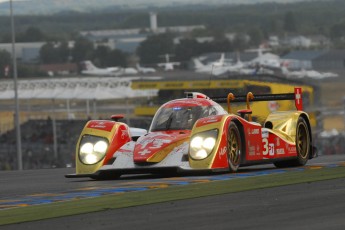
(234, 147)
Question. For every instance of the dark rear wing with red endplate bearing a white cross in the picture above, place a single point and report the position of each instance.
(296, 95)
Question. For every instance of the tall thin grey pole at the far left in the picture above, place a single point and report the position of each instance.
(16, 113)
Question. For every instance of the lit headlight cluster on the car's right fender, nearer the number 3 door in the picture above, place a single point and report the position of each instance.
(202, 144)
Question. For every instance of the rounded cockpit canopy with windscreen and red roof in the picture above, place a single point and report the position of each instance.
(183, 113)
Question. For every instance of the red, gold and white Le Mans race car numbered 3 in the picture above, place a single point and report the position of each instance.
(196, 134)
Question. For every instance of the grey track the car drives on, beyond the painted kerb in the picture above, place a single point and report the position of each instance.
(30, 182)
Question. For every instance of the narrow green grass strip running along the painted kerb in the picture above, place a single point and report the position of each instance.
(180, 192)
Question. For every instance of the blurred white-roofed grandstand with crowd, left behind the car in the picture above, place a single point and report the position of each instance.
(42, 100)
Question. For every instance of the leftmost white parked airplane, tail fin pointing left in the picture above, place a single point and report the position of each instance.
(90, 69)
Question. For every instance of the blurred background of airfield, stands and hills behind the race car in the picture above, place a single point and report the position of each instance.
(90, 59)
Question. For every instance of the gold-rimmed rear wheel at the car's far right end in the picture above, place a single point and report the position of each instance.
(303, 142)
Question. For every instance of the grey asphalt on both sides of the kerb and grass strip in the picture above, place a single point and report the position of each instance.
(317, 205)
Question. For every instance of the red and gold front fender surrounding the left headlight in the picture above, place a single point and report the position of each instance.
(116, 133)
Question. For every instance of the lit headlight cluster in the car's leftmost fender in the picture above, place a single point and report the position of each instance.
(92, 149)
